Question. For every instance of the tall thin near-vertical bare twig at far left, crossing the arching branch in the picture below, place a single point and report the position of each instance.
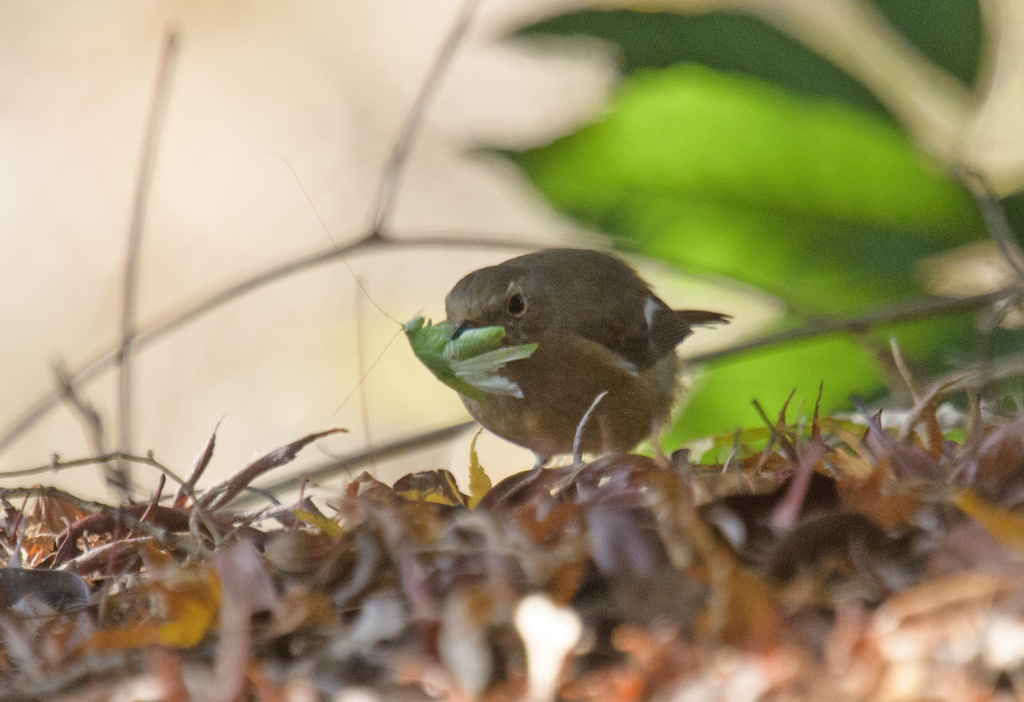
(155, 121)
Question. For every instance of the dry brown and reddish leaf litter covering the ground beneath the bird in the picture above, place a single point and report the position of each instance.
(823, 562)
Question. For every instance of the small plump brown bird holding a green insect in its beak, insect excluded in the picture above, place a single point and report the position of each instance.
(599, 328)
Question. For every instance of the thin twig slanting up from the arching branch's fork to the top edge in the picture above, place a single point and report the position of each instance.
(389, 188)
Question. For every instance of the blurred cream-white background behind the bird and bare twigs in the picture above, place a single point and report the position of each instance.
(325, 86)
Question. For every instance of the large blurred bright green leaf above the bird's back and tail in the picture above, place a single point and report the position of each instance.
(824, 205)
